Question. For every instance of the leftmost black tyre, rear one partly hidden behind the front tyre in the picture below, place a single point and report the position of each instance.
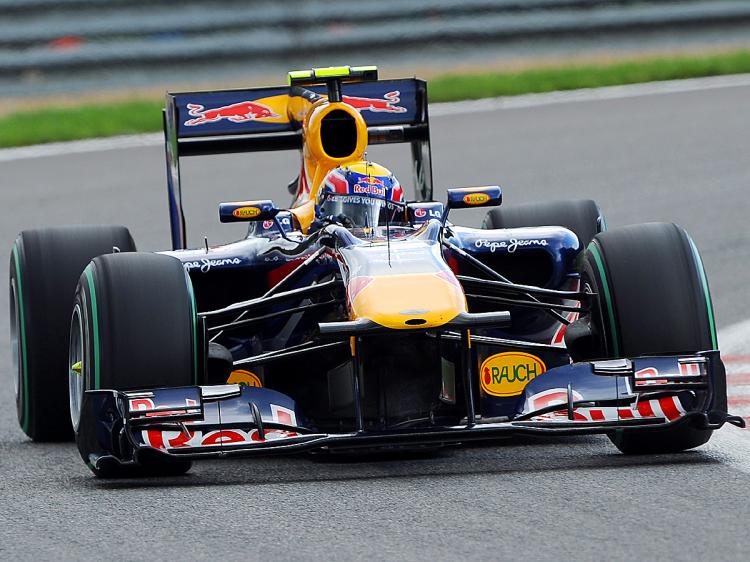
(45, 265)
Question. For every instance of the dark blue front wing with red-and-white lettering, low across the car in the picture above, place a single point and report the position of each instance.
(648, 393)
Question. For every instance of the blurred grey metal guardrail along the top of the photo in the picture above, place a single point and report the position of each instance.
(52, 36)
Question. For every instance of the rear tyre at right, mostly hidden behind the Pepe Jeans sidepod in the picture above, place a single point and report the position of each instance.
(582, 216)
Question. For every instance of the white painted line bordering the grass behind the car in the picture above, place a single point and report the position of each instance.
(436, 110)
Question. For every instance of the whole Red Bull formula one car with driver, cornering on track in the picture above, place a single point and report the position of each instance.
(355, 319)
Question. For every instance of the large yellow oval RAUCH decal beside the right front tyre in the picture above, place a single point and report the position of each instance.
(506, 374)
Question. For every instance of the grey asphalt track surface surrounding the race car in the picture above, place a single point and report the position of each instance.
(680, 157)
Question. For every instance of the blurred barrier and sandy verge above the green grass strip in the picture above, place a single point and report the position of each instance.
(63, 48)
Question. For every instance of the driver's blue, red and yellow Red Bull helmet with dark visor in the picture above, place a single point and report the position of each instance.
(362, 195)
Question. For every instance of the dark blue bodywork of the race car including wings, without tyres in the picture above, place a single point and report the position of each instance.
(288, 370)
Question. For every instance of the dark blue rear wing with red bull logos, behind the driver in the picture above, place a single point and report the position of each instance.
(256, 119)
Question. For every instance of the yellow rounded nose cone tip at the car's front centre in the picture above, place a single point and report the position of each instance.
(401, 302)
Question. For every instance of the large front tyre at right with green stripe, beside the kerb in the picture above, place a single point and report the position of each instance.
(653, 299)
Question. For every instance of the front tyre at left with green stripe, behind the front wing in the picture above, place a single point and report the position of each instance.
(133, 327)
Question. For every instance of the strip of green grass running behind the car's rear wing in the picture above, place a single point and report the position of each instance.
(141, 116)
